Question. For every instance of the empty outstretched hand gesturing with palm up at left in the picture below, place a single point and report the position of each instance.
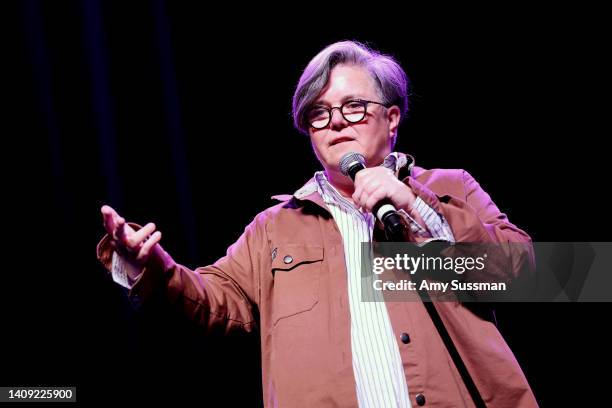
(137, 246)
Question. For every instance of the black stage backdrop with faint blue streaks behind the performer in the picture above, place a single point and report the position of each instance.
(174, 114)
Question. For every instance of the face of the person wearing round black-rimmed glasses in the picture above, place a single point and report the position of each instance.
(372, 137)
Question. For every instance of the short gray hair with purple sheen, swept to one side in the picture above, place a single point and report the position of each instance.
(391, 80)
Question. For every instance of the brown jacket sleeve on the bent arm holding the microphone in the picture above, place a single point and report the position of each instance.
(474, 218)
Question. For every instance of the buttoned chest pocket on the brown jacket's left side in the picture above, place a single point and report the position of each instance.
(296, 270)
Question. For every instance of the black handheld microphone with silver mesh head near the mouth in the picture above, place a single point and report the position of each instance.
(350, 164)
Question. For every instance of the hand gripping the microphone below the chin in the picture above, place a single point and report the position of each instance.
(377, 183)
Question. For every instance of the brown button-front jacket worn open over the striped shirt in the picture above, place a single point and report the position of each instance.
(303, 311)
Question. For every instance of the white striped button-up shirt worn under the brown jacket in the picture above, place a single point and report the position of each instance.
(377, 364)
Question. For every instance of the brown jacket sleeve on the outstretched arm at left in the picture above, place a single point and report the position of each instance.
(222, 296)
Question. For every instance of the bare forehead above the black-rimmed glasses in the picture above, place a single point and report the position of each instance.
(345, 82)
